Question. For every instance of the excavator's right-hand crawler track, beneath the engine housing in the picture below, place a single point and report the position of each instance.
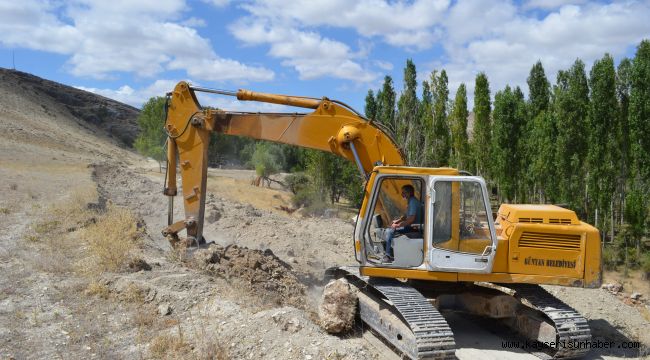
(571, 328)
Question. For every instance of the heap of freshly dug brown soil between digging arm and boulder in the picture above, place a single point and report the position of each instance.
(261, 271)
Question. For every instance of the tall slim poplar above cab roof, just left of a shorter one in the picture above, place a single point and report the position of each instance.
(441, 144)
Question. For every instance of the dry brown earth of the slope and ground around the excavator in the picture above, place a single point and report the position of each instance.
(253, 294)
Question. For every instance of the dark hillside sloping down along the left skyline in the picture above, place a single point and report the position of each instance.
(115, 119)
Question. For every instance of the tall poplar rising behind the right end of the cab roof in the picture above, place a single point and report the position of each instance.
(482, 125)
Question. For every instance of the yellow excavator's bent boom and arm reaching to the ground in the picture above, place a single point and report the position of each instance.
(331, 126)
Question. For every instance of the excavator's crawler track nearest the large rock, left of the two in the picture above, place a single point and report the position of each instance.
(430, 336)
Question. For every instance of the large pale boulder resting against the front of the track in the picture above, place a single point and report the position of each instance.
(338, 308)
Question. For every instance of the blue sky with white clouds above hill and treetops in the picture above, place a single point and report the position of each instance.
(132, 50)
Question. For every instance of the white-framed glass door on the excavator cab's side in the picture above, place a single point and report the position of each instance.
(461, 234)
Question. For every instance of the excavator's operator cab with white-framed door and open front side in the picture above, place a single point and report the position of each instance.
(455, 233)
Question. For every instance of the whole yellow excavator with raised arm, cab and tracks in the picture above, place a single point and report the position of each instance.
(456, 256)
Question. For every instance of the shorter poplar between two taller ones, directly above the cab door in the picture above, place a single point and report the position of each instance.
(458, 120)
